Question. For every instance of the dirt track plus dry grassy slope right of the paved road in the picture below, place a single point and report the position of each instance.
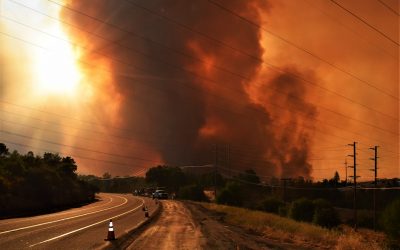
(190, 225)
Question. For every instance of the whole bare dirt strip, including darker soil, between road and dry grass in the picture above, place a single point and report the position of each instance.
(187, 225)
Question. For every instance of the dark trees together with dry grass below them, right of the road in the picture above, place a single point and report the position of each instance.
(311, 211)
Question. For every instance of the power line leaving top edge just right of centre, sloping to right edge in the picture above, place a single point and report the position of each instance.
(301, 48)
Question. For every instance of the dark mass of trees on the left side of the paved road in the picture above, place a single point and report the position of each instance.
(31, 184)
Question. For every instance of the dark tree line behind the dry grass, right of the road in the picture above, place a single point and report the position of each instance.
(298, 198)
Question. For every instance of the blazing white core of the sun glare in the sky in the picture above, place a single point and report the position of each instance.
(56, 69)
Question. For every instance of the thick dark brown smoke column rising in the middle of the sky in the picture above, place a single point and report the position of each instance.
(181, 92)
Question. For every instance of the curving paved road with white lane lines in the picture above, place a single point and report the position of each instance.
(78, 228)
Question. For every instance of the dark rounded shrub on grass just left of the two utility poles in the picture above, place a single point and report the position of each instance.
(325, 214)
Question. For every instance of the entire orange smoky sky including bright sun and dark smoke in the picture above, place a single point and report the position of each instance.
(125, 85)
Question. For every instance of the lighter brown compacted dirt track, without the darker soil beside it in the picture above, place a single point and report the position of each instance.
(175, 229)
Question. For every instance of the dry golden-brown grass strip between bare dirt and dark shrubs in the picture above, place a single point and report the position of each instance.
(304, 234)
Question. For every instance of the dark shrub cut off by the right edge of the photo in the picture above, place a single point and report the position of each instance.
(391, 220)
